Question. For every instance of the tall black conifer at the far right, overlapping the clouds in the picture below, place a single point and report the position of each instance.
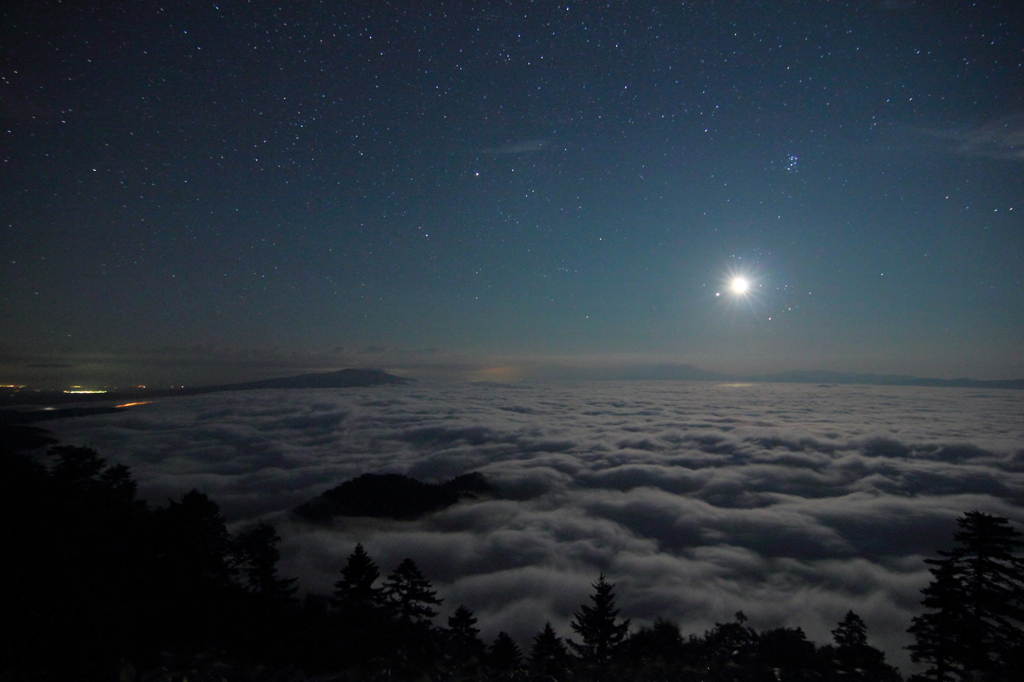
(976, 603)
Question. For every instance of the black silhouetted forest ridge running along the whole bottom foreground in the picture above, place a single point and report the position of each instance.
(102, 586)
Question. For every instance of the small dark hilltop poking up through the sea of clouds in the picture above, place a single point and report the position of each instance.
(392, 496)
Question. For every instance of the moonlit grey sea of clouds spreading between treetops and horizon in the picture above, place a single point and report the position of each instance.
(792, 503)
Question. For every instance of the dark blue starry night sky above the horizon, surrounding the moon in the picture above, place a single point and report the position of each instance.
(237, 189)
